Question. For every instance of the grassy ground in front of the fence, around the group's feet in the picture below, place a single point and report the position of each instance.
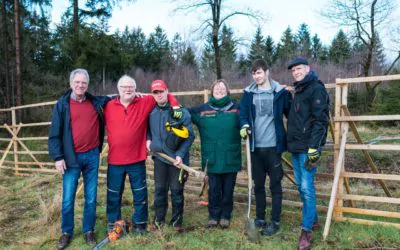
(30, 219)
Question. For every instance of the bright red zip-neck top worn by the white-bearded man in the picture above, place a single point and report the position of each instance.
(127, 128)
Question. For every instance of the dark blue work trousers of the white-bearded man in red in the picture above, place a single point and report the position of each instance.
(115, 187)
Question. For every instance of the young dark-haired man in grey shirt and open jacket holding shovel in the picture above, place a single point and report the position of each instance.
(262, 107)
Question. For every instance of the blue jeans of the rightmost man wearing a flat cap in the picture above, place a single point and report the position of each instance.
(305, 184)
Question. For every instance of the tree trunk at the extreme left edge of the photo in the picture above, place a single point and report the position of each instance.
(4, 35)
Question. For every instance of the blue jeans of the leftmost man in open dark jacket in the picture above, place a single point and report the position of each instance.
(89, 166)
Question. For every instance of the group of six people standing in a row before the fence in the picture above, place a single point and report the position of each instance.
(137, 125)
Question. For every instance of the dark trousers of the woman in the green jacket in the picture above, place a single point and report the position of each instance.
(220, 195)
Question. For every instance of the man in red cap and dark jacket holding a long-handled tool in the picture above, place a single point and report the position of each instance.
(166, 174)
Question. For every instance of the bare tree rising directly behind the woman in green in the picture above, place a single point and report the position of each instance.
(216, 14)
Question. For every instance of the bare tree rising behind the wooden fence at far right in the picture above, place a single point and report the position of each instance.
(365, 17)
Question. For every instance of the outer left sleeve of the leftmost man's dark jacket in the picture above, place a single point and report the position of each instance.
(55, 136)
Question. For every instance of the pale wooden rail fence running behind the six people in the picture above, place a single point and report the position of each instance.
(26, 161)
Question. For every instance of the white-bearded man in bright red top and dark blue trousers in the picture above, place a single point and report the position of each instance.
(126, 120)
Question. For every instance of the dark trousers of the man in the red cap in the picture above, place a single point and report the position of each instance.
(166, 177)
